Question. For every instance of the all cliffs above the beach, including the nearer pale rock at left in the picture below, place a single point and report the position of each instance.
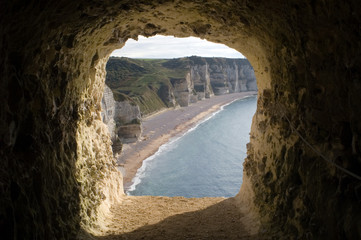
(140, 87)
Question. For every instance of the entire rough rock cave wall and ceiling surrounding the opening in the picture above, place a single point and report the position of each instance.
(57, 169)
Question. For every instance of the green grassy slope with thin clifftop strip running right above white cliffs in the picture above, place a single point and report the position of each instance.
(141, 79)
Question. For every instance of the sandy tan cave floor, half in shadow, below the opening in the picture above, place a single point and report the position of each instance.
(150, 217)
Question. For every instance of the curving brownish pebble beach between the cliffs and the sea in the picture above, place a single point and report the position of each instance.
(161, 127)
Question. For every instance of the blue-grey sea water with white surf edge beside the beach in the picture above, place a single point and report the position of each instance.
(204, 162)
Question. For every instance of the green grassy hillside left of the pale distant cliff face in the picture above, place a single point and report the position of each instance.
(140, 79)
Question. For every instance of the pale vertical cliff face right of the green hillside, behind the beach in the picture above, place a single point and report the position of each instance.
(213, 76)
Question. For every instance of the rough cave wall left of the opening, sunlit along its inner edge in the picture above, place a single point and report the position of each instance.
(56, 159)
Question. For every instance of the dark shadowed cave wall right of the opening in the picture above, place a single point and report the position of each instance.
(308, 116)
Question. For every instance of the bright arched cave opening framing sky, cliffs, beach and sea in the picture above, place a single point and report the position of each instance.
(179, 73)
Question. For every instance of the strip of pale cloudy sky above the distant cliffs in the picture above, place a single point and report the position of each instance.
(170, 47)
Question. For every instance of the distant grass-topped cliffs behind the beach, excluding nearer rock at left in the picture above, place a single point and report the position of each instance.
(154, 84)
